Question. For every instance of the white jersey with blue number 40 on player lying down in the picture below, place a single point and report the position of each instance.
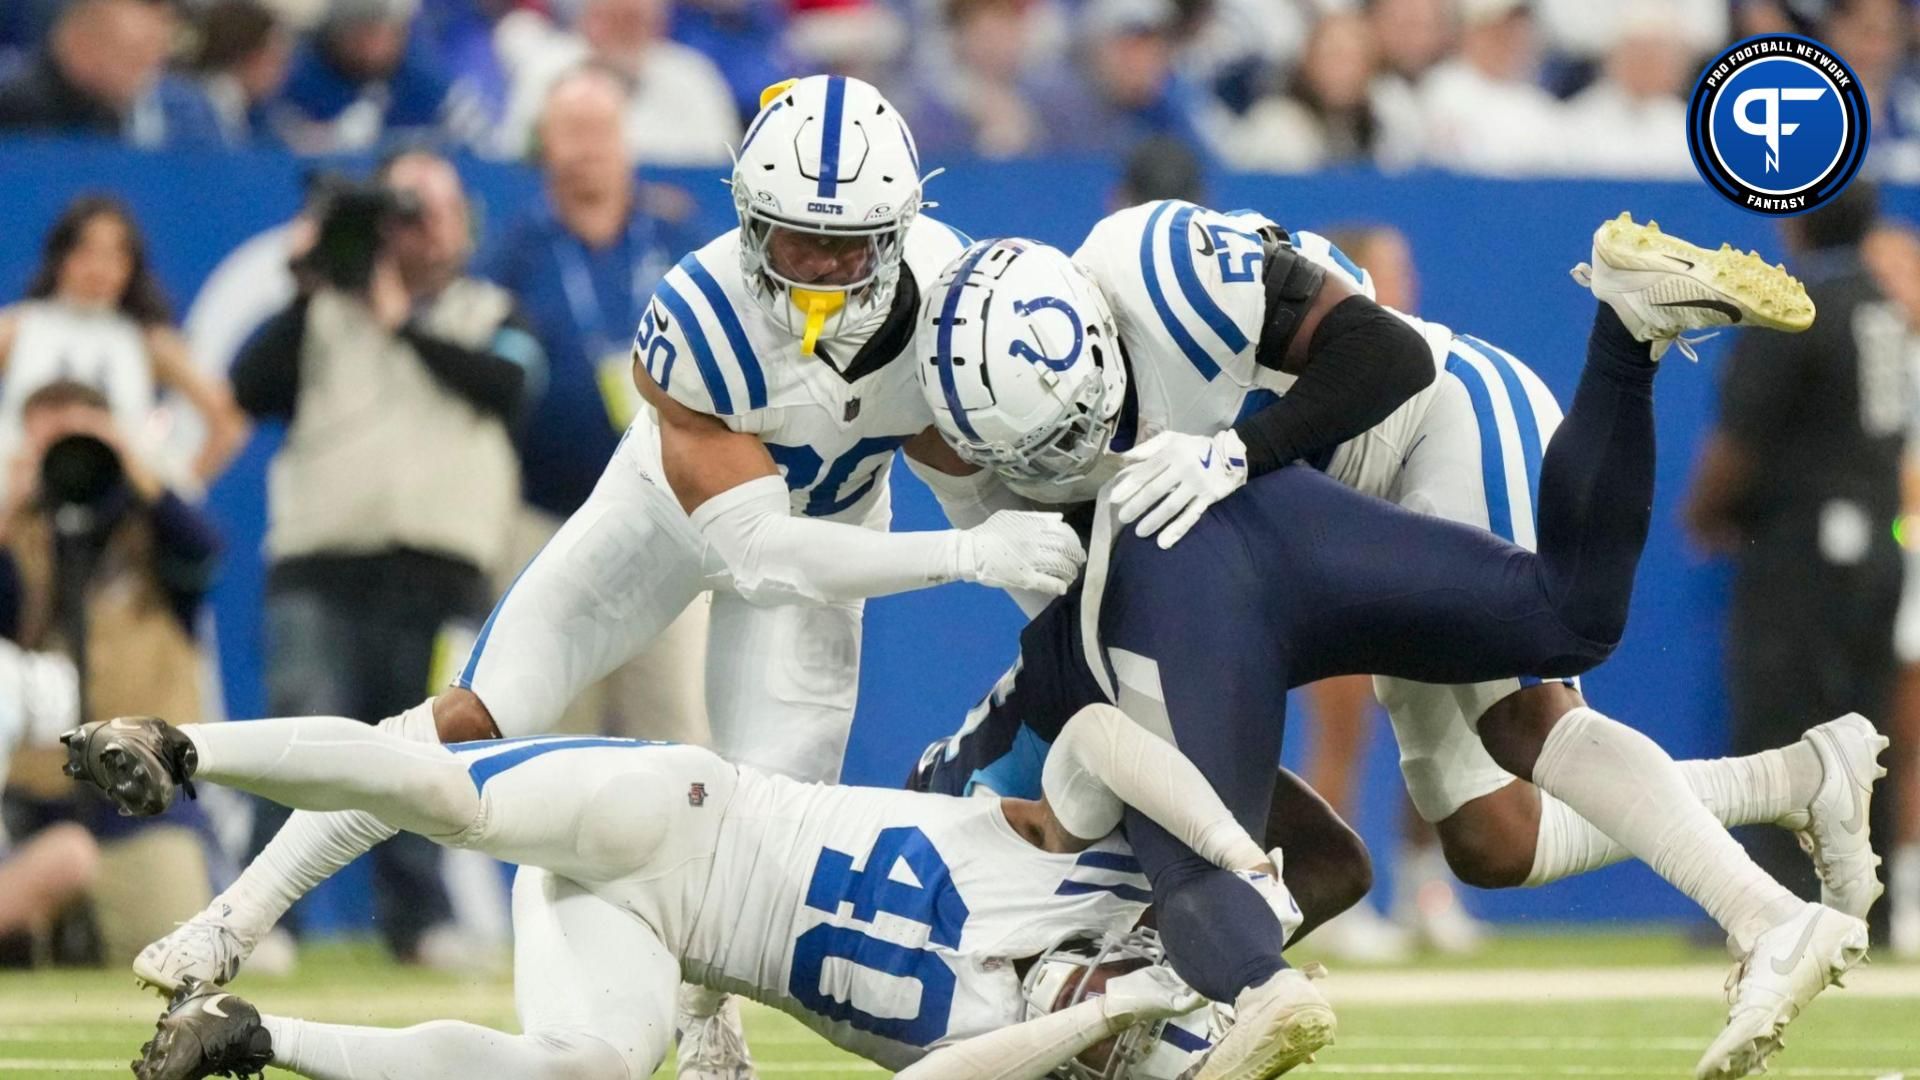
(890, 921)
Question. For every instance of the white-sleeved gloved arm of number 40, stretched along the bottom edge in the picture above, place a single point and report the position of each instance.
(1032, 1050)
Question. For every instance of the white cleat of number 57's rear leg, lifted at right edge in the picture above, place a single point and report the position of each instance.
(1833, 829)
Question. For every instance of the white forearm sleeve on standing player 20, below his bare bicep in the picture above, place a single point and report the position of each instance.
(779, 558)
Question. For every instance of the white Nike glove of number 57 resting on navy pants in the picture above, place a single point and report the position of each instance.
(1174, 478)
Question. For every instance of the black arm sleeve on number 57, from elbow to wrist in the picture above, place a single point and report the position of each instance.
(1364, 362)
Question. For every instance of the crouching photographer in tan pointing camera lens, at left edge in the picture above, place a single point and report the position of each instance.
(108, 566)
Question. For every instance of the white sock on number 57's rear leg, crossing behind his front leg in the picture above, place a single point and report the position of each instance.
(1760, 789)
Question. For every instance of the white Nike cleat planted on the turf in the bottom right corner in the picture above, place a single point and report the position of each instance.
(1787, 970)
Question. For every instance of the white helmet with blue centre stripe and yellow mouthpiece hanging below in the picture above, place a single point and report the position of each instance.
(832, 160)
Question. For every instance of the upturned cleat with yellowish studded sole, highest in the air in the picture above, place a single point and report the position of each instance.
(1664, 287)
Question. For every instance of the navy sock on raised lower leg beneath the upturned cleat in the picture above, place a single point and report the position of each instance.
(1596, 485)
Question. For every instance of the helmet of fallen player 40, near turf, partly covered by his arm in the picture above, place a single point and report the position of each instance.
(1153, 1050)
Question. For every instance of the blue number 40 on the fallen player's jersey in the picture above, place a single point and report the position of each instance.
(930, 902)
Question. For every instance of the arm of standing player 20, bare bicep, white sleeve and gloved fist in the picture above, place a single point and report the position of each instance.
(736, 499)
